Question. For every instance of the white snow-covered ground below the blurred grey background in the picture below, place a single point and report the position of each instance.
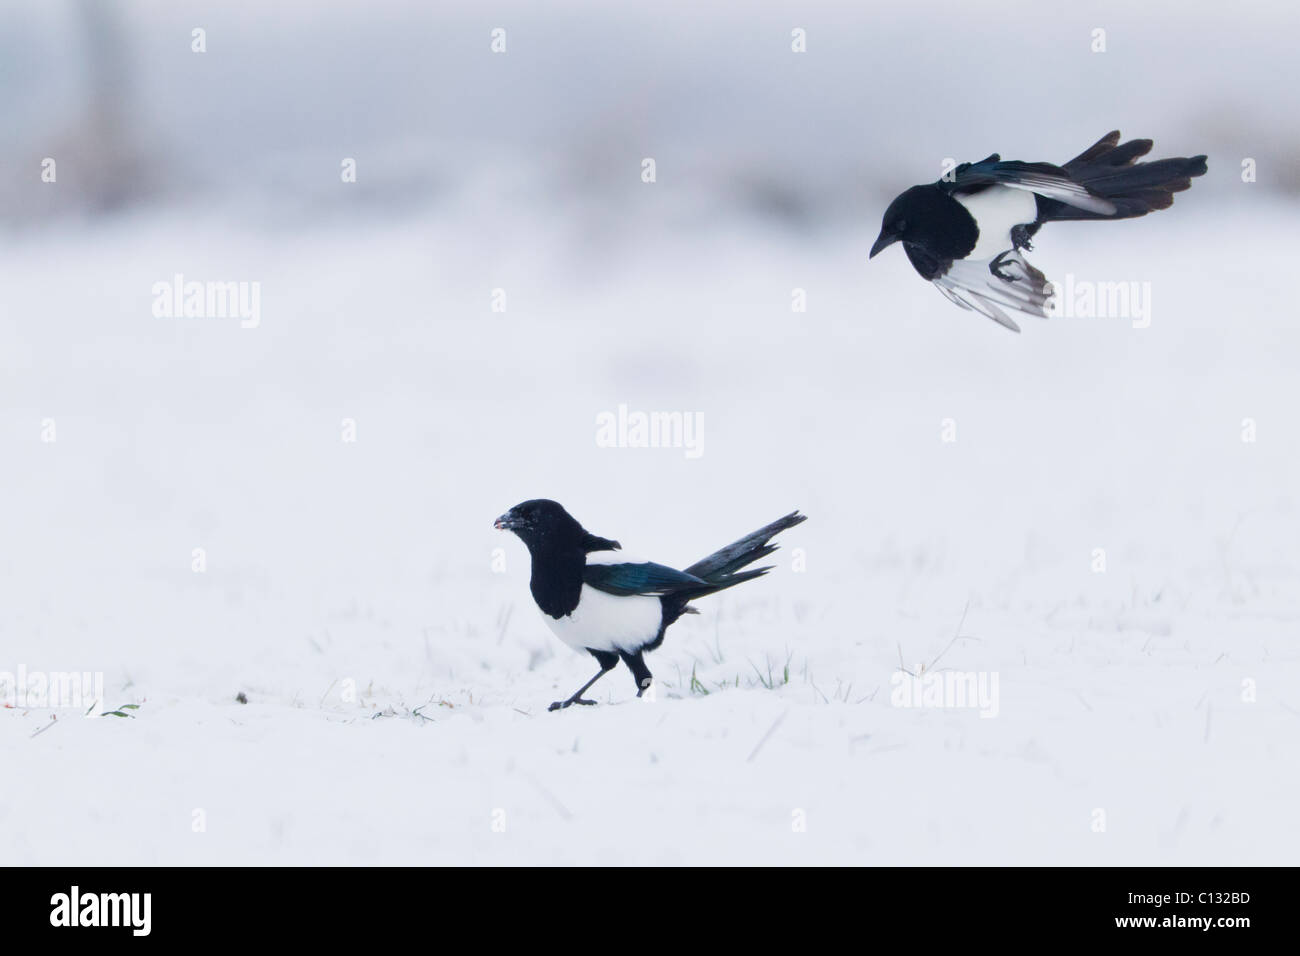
(1162, 693)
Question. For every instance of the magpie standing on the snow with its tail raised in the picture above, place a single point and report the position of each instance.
(610, 605)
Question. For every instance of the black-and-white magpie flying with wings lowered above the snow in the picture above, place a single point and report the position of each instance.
(965, 233)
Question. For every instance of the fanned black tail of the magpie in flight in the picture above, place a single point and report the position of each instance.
(1110, 170)
